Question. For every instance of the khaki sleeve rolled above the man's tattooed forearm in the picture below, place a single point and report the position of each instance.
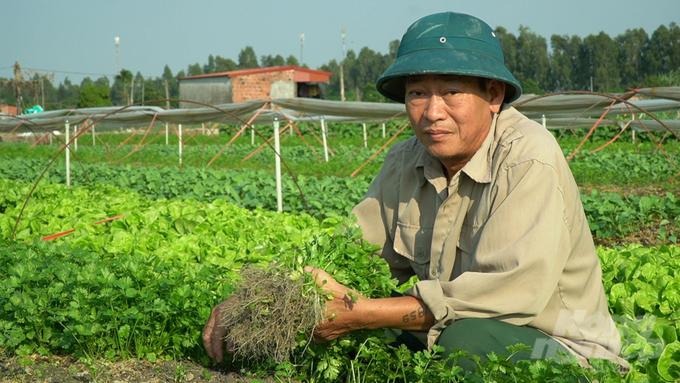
(517, 256)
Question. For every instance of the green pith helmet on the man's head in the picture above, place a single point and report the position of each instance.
(448, 43)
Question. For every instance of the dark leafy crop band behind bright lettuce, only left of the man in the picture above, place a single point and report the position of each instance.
(327, 196)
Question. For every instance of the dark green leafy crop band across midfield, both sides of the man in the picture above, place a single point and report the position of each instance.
(611, 216)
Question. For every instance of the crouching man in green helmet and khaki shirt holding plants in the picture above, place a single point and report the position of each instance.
(481, 206)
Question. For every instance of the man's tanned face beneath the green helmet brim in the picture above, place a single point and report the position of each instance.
(451, 115)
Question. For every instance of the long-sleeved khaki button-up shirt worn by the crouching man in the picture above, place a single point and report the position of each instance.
(506, 239)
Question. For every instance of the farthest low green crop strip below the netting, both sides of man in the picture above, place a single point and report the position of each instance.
(608, 167)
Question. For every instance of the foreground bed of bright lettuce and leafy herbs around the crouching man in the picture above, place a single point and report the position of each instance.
(141, 286)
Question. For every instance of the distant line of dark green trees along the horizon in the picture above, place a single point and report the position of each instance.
(596, 62)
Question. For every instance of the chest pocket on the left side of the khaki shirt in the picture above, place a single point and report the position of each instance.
(414, 243)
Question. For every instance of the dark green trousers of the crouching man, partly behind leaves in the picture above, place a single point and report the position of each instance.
(483, 336)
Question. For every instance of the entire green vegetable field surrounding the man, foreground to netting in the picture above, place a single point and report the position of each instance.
(131, 295)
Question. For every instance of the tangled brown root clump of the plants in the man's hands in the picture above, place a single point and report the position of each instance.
(274, 311)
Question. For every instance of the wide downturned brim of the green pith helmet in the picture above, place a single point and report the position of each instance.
(449, 61)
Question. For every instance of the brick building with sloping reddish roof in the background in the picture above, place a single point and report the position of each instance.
(252, 84)
